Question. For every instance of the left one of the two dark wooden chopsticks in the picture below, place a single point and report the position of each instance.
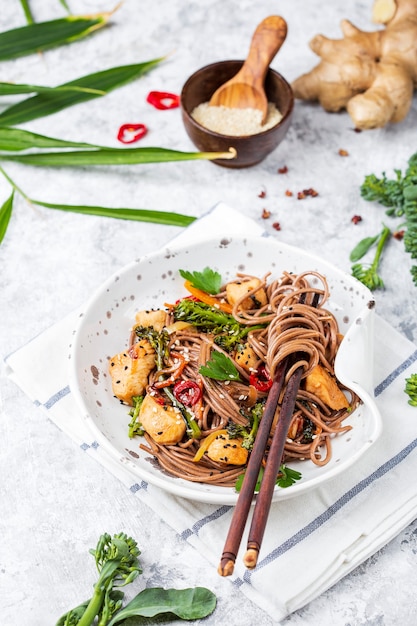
(240, 514)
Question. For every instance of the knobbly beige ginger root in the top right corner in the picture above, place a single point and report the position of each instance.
(371, 74)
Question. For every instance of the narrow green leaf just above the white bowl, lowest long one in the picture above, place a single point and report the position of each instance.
(138, 215)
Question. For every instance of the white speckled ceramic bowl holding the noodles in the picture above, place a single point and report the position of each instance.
(154, 279)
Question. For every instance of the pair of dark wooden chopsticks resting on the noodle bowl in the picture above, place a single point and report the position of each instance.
(264, 497)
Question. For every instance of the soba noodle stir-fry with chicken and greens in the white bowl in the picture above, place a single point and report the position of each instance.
(197, 374)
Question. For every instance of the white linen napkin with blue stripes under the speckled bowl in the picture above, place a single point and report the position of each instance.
(333, 529)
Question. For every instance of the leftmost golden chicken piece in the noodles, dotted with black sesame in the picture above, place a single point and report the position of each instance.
(130, 370)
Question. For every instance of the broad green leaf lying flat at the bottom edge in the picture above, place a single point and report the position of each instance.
(187, 604)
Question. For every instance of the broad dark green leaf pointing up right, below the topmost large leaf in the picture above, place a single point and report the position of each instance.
(48, 103)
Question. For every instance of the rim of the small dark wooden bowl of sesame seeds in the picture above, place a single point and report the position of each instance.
(237, 137)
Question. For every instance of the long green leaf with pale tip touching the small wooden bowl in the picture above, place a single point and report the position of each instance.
(113, 156)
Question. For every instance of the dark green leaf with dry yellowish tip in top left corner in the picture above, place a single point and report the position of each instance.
(45, 35)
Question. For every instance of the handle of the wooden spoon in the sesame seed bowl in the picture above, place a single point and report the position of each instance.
(266, 41)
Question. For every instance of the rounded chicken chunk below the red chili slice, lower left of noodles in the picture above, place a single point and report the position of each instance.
(163, 423)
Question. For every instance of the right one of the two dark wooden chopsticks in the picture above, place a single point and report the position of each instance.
(264, 497)
